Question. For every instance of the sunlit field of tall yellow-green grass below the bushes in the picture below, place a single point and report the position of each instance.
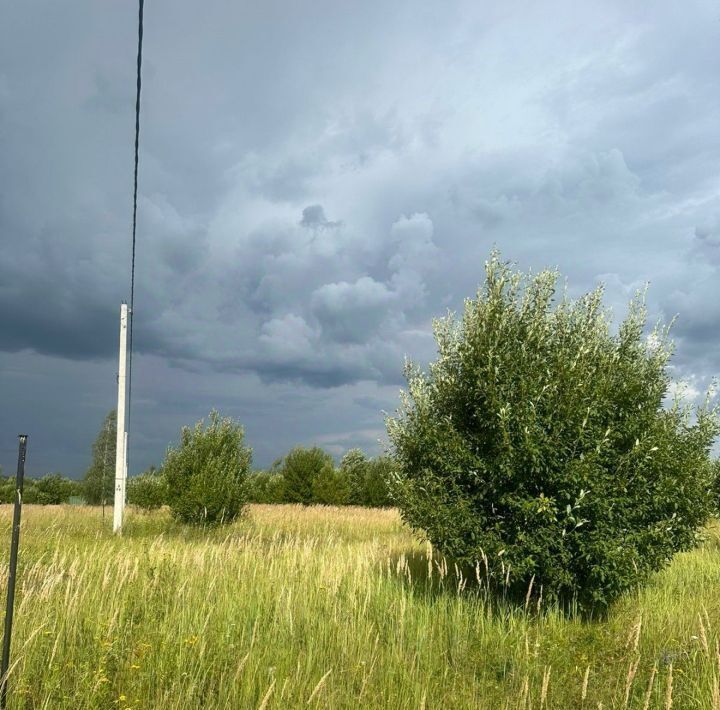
(331, 608)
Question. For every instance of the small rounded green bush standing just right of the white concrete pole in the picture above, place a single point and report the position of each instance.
(206, 473)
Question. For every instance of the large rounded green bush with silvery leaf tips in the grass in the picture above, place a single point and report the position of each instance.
(538, 443)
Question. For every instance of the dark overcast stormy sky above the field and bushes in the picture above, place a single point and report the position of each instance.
(318, 180)
